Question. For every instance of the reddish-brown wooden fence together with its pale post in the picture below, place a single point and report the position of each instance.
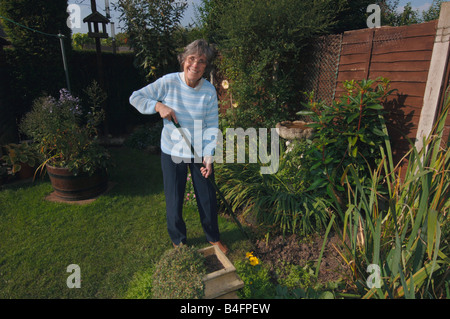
(404, 56)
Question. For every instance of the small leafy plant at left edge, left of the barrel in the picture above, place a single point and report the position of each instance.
(22, 158)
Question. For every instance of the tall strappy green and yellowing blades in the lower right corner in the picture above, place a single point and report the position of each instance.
(403, 232)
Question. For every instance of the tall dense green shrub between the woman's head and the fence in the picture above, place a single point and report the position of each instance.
(263, 45)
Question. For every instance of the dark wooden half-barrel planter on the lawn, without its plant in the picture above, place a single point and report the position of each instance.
(83, 186)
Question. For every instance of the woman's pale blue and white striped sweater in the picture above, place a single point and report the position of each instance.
(196, 110)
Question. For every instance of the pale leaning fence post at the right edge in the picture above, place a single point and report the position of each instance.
(436, 76)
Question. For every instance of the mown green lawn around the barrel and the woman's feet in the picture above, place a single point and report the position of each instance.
(121, 234)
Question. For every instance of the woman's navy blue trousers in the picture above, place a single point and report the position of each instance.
(175, 176)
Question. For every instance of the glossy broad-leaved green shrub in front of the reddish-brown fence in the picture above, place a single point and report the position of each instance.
(347, 132)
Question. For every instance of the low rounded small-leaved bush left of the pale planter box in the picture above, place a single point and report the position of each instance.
(178, 274)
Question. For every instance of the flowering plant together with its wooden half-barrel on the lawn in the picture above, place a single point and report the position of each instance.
(67, 137)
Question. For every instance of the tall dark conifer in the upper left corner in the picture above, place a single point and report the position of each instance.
(35, 63)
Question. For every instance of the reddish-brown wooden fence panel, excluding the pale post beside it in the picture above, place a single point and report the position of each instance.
(401, 54)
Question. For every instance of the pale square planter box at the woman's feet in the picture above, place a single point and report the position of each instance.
(224, 282)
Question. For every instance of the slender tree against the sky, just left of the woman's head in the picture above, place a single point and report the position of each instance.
(150, 25)
